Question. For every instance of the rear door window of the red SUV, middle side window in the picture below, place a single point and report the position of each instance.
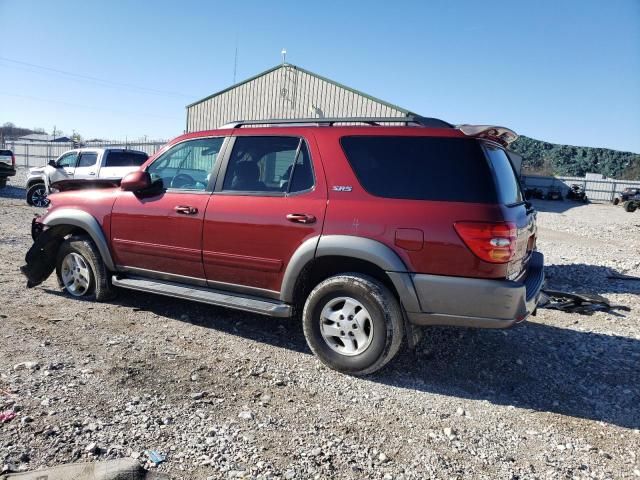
(272, 165)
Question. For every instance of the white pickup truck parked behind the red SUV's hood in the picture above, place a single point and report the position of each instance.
(88, 164)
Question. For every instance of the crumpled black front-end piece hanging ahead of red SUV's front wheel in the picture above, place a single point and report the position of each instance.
(41, 257)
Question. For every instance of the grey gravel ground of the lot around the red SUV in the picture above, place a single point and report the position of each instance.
(230, 395)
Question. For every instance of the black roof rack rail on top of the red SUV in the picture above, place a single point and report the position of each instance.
(375, 121)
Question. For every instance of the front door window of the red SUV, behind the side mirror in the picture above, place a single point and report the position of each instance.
(187, 165)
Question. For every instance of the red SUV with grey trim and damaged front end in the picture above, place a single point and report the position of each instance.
(362, 229)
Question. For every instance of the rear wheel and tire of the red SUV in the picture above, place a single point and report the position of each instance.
(353, 323)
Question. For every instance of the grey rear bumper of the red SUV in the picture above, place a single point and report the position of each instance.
(471, 302)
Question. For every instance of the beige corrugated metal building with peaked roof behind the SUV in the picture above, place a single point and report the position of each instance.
(286, 91)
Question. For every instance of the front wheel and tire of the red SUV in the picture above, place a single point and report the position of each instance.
(81, 271)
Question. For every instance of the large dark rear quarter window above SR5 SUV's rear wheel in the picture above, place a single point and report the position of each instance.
(421, 168)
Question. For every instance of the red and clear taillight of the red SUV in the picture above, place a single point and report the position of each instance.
(491, 242)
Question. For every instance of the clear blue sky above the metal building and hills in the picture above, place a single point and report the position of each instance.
(562, 71)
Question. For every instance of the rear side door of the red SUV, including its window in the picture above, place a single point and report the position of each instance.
(269, 200)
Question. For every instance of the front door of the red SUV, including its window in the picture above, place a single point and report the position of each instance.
(161, 235)
